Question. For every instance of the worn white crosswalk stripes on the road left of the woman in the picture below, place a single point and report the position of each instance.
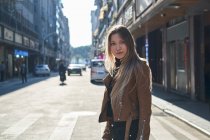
(62, 130)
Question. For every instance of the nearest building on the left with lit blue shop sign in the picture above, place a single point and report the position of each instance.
(18, 38)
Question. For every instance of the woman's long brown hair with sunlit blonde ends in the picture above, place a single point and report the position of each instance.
(128, 63)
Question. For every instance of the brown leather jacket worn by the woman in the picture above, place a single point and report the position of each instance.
(135, 104)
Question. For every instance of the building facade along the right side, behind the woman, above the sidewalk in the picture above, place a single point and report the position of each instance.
(173, 35)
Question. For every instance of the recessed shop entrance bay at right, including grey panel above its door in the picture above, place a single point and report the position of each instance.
(178, 59)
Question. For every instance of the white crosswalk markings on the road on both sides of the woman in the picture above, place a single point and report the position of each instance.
(63, 128)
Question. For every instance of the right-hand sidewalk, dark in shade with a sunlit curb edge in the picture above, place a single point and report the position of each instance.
(194, 113)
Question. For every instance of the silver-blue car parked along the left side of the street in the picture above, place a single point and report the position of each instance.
(42, 69)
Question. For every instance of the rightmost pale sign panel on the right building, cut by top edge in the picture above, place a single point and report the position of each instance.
(142, 5)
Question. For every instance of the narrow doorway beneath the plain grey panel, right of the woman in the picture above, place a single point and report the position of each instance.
(178, 66)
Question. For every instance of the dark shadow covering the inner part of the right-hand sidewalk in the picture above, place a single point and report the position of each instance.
(196, 107)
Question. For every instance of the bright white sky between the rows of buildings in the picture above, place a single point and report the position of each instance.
(78, 13)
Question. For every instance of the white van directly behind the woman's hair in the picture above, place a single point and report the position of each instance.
(98, 71)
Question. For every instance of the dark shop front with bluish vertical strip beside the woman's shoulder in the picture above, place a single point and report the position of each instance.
(150, 48)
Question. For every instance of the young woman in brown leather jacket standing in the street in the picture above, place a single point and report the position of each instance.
(126, 105)
